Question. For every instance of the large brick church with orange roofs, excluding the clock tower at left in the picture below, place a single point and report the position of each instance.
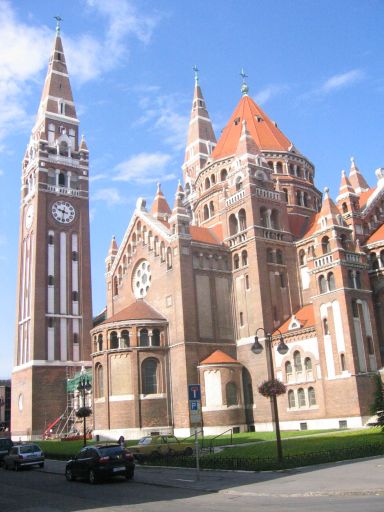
(247, 244)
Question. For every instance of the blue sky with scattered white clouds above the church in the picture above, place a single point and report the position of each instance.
(316, 67)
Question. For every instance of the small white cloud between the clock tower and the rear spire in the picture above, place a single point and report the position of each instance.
(145, 168)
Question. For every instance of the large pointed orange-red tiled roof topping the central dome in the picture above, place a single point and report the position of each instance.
(263, 131)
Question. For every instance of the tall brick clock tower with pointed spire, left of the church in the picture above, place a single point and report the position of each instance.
(54, 304)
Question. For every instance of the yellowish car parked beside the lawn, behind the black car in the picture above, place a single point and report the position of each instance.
(160, 445)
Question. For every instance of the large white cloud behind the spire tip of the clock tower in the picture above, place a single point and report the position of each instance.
(25, 54)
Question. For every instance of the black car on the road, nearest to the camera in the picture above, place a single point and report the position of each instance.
(98, 462)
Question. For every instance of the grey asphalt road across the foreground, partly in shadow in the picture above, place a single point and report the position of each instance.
(353, 486)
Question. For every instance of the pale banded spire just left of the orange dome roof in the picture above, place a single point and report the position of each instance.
(201, 137)
